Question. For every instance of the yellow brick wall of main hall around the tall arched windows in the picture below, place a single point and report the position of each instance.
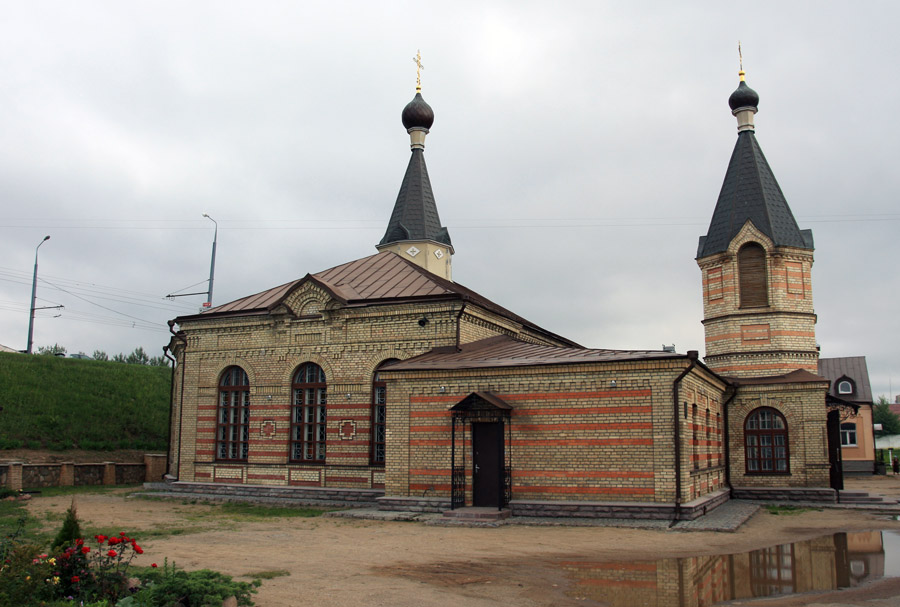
(348, 344)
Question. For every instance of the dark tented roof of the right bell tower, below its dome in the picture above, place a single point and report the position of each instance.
(751, 193)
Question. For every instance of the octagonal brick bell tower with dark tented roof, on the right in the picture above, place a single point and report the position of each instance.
(756, 263)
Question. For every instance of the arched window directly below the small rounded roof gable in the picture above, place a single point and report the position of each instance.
(308, 415)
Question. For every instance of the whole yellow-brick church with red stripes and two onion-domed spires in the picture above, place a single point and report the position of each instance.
(383, 381)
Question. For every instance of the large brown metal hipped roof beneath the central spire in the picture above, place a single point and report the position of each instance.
(383, 278)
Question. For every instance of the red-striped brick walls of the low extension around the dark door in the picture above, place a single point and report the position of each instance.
(599, 432)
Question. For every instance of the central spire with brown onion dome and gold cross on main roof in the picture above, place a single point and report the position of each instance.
(414, 231)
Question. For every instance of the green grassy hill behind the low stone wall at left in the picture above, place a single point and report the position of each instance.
(63, 403)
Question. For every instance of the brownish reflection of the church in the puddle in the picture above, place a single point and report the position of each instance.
(831, 562)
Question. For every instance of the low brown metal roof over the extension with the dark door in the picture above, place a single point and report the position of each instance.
(503, 351)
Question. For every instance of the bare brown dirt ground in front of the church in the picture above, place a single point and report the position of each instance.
(349, 562)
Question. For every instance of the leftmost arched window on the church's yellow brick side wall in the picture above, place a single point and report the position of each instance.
(233, 416)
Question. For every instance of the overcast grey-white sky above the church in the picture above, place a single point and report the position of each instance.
(576, 156)
